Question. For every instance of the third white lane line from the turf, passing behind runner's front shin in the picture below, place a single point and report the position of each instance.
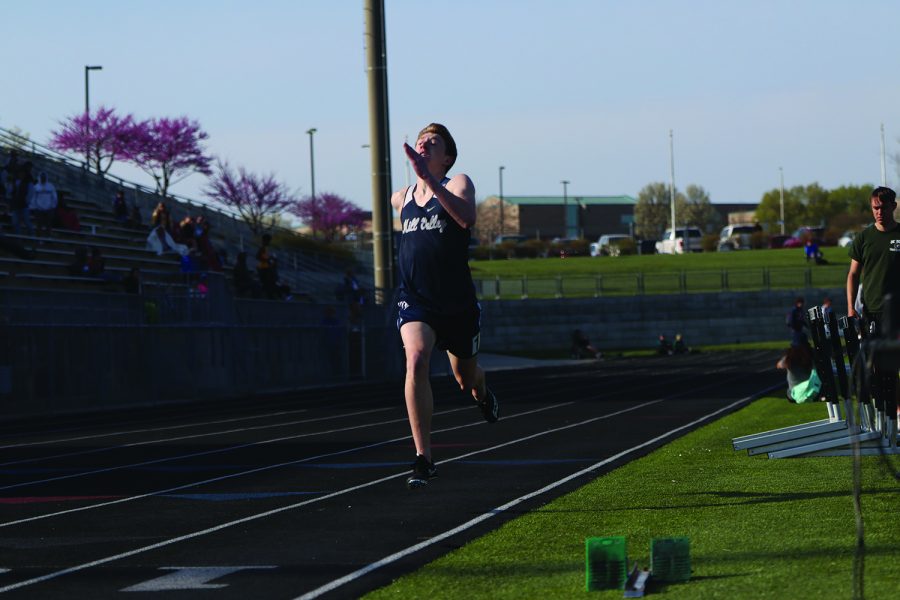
(268, 468)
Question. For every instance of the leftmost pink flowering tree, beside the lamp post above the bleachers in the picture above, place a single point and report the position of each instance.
(103, 137)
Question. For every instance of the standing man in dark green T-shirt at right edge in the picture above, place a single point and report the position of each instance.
(875, 259)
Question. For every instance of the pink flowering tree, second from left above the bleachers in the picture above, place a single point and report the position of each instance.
(169, 150)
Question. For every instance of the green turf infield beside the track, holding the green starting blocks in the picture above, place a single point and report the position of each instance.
(759, 528)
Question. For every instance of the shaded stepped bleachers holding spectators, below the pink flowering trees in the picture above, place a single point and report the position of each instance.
(312, 276)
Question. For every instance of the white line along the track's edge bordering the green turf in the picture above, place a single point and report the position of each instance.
(328, 587)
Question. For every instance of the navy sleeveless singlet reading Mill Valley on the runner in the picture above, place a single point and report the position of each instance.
(434, 258)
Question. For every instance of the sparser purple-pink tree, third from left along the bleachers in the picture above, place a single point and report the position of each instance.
(258, 199)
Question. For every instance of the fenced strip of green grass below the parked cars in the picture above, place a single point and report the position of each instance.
(658, 273)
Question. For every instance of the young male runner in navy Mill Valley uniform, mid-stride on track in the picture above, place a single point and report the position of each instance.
(437, 304)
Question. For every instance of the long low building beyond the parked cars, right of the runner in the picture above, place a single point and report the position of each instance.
(542, 216)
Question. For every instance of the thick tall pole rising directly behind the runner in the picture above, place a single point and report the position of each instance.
(376, 70)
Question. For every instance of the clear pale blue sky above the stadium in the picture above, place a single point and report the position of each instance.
(582, 90)
